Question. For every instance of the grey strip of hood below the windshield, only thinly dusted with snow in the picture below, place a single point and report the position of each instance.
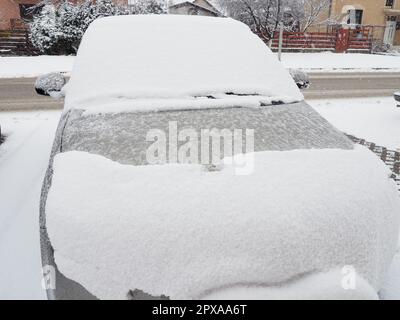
(123, 137)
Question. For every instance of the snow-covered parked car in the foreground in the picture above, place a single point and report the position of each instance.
(131, 210)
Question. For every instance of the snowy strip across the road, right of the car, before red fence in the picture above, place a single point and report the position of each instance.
(328, 61)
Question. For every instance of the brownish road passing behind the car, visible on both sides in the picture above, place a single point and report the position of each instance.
(19, 94)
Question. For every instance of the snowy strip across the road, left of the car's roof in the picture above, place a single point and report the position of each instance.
(19, 67)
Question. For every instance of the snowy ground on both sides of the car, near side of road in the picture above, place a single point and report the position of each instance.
(24, 157)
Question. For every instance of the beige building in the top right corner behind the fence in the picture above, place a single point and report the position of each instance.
(384, 15)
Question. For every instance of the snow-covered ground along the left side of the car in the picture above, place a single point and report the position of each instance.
(23, 160)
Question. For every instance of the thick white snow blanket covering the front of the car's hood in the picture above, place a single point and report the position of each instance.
(118, 227)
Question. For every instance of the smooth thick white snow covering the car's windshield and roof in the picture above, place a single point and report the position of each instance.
(166, 56)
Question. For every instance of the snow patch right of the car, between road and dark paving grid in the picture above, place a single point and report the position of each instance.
(373, 119)
